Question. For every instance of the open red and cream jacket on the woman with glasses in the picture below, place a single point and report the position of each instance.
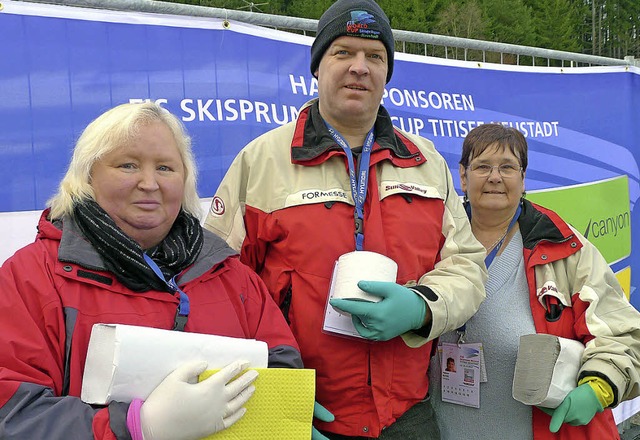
(574, 294)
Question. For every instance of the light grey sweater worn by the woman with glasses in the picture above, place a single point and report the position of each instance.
(502, 318)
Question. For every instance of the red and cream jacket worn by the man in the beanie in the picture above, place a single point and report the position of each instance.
(286, 203)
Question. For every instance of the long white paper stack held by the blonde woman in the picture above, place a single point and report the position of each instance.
(125, 362)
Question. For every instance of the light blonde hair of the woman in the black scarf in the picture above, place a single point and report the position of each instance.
(114, 128)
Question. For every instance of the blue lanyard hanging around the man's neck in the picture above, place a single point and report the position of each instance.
(358, 179)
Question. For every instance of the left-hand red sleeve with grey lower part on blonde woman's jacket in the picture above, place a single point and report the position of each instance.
(32, 355)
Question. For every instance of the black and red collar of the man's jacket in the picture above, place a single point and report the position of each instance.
(312, 143)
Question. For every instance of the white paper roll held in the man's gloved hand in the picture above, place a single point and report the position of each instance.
(361, 265)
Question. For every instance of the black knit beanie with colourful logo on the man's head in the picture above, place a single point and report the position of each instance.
(353, 18)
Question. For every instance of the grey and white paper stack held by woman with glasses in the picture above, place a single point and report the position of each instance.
(546, 369)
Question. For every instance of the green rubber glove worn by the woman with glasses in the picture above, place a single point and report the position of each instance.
(577, 408)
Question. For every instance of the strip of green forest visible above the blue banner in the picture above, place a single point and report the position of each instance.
(599, 27)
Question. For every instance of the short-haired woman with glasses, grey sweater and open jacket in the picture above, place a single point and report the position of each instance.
(544, 277)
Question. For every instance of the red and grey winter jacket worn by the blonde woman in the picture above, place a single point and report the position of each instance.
(53, 291)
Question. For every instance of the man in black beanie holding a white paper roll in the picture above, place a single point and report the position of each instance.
(339, 180)
